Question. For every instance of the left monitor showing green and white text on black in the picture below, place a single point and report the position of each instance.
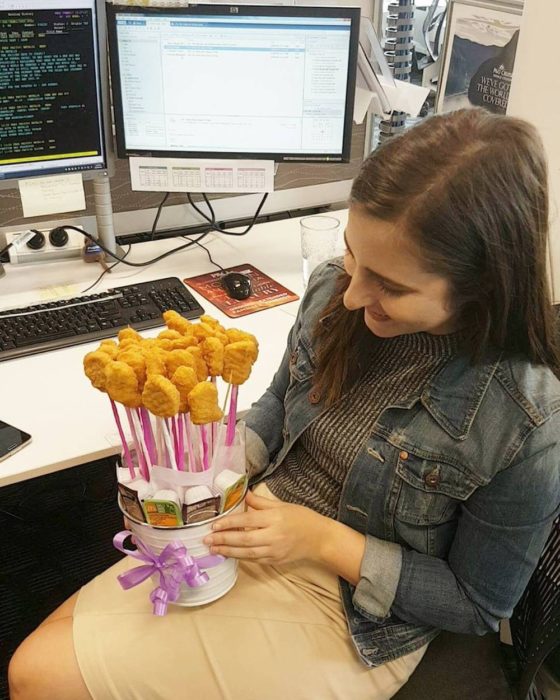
(50, 88)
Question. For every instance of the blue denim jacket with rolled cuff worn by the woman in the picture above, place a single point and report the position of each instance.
(455, 490)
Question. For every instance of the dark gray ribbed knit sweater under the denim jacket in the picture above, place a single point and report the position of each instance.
(315, 468)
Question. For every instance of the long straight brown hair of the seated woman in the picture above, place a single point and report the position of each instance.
(470, 189)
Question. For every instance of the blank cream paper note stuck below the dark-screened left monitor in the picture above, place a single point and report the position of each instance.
(52, 195)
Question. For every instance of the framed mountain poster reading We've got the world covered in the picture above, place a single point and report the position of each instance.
(479, 55)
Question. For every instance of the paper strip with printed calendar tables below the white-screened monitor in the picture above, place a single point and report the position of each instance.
(201, 175)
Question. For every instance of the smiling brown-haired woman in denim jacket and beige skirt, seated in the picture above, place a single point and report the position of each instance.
(407, 446)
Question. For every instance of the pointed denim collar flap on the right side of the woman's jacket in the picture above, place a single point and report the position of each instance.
(454, 396)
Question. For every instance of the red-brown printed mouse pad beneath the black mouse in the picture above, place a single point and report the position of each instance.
(265, 294)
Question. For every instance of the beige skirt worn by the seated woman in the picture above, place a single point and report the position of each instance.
(279, 634)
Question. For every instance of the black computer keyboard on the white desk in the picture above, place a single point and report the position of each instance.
(67, 322)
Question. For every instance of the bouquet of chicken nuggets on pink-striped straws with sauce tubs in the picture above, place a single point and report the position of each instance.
(182, 461)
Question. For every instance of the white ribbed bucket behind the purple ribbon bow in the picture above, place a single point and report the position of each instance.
(221, 577)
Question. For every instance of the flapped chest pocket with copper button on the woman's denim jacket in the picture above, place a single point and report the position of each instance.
(430, 491)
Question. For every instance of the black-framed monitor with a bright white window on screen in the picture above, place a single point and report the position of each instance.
(234, 81)
